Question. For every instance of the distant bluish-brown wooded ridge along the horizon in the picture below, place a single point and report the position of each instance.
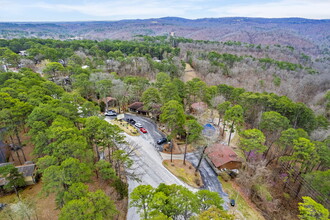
(311, 36)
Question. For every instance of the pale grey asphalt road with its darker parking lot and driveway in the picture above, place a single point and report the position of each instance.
(148, 164)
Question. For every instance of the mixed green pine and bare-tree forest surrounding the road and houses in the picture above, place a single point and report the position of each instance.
(275, 98)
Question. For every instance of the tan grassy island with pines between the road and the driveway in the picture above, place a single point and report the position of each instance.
(186, 173)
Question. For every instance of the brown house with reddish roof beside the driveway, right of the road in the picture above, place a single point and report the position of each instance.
(223, 156)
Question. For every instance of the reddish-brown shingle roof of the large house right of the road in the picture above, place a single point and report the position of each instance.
(221, 154)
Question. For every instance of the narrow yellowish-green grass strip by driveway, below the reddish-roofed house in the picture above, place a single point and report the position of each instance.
(241, 205)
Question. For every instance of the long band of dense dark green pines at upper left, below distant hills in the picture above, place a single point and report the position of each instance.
(64, 49)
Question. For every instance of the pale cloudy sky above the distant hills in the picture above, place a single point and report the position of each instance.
(87, 10)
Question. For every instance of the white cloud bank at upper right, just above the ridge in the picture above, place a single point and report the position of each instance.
(315, 9)
